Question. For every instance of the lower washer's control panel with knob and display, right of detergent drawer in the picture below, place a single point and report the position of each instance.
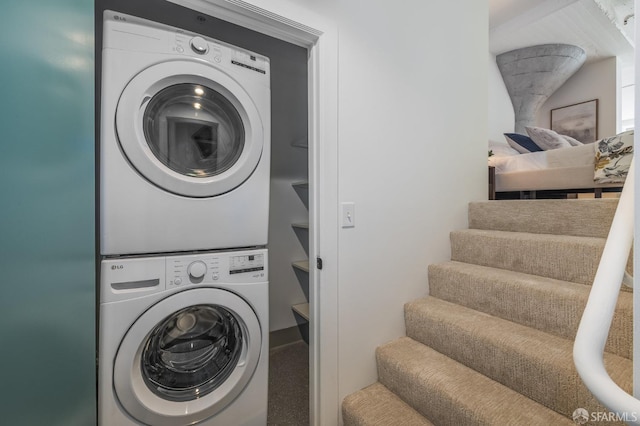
(211, 268)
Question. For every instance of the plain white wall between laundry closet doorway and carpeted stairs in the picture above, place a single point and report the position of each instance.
(413, 111)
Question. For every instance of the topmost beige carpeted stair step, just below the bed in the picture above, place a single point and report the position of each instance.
(585, 218)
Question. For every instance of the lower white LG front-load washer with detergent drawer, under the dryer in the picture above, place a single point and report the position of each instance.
(184, 340)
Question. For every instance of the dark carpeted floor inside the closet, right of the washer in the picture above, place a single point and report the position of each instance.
(289, 385)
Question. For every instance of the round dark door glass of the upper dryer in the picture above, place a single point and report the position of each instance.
(194, 130)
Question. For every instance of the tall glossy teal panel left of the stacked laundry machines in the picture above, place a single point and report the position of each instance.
(47, 217)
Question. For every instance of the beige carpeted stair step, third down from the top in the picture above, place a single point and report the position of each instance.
(549, 305)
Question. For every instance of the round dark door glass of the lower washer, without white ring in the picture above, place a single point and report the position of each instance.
(191, 352)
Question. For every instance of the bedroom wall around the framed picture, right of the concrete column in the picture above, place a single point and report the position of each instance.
(597, 80)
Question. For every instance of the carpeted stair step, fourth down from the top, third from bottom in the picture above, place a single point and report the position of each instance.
(533, 363)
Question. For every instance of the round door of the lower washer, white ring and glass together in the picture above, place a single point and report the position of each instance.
(187, 366)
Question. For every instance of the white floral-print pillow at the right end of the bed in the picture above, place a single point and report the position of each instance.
(613, 157)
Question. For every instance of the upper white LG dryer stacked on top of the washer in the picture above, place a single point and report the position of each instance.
(184, 141)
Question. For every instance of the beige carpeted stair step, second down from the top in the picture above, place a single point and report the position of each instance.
(566, 258)
